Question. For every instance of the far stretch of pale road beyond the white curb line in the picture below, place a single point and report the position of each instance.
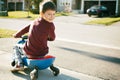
(72, 28)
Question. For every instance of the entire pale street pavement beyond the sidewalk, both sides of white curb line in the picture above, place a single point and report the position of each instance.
(89, 49)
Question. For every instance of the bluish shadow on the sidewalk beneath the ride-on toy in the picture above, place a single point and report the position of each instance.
(43, 75)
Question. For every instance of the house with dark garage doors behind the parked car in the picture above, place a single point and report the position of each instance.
(80, 6)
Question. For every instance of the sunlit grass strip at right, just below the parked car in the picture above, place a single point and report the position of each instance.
(104, 21)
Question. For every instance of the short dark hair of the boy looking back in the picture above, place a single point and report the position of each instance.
(48, 6)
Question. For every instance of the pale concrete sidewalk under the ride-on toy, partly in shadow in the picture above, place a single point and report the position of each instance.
(46, 74)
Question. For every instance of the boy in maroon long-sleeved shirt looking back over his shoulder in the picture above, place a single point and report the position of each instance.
(39, 32)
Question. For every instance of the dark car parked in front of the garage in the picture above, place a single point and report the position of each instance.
(100, 11)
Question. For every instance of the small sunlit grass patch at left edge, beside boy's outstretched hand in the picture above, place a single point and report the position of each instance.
(6, 33)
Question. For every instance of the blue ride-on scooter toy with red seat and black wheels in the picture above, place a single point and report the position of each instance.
(37, 63)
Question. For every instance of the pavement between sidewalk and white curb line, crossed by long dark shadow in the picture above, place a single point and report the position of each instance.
(94, 61)
